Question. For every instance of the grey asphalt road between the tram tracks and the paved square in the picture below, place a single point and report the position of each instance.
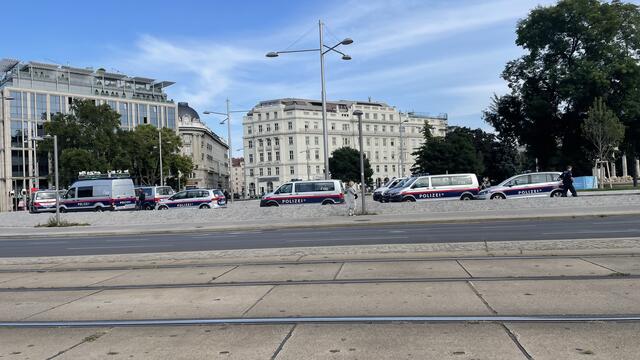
(580, 228)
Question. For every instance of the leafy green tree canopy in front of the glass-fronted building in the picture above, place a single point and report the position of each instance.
(90, 139)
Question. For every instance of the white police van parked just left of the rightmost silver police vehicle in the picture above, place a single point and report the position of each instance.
(436, 187)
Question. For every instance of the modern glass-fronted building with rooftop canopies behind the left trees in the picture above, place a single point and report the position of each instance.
(30, 93)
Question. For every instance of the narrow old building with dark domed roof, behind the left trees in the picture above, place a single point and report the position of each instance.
(207, 150)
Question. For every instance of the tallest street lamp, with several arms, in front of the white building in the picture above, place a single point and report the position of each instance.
(322, 51)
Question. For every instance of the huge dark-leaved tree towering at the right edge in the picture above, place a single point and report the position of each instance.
(575, 51)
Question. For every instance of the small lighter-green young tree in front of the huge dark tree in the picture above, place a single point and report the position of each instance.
(603, 130)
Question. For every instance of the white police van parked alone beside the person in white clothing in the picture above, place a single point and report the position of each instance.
(325, 192)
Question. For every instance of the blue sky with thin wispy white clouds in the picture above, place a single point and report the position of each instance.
(431, 56)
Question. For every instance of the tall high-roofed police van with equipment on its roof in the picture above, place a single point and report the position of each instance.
(99, 193)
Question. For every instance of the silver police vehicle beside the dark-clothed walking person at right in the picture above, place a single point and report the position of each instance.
(538, 184)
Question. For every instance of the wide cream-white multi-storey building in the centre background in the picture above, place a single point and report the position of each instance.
(283, 139)
